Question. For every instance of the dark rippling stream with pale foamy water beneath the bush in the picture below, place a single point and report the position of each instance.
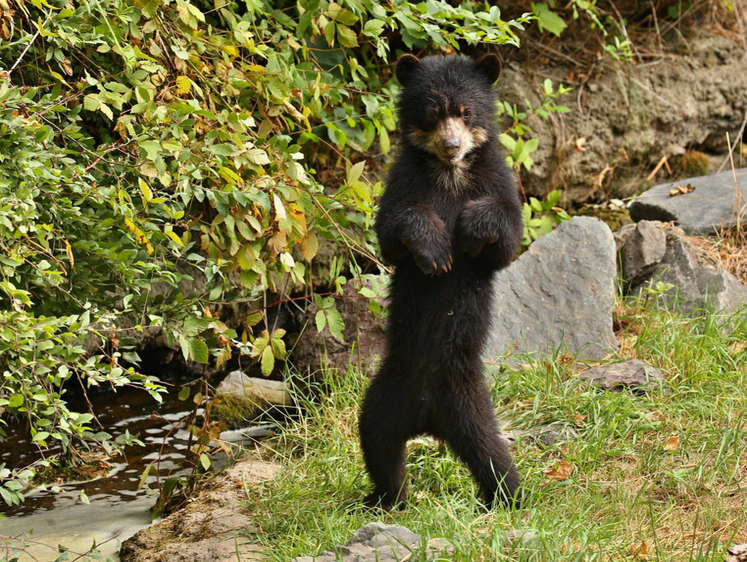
(117, 508)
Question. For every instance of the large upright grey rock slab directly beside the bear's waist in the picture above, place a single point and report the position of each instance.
(559, 294)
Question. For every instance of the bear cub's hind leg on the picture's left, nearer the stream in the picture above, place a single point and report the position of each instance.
(384, 434)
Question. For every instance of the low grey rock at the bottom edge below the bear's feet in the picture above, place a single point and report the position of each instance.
(377, 542)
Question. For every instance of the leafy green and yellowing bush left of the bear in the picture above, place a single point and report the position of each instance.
(146, 142)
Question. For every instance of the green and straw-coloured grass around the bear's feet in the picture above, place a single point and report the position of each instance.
(655, 477)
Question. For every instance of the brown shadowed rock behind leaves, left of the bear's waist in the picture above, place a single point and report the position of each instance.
(363, 335)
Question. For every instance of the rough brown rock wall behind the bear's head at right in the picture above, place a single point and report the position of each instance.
(625, 118)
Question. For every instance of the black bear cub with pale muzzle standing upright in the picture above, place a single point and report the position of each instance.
(450, 217)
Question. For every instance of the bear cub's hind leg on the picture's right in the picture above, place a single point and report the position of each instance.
(474, 437)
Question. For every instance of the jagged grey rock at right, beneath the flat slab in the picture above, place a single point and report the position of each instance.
(694, 284)
